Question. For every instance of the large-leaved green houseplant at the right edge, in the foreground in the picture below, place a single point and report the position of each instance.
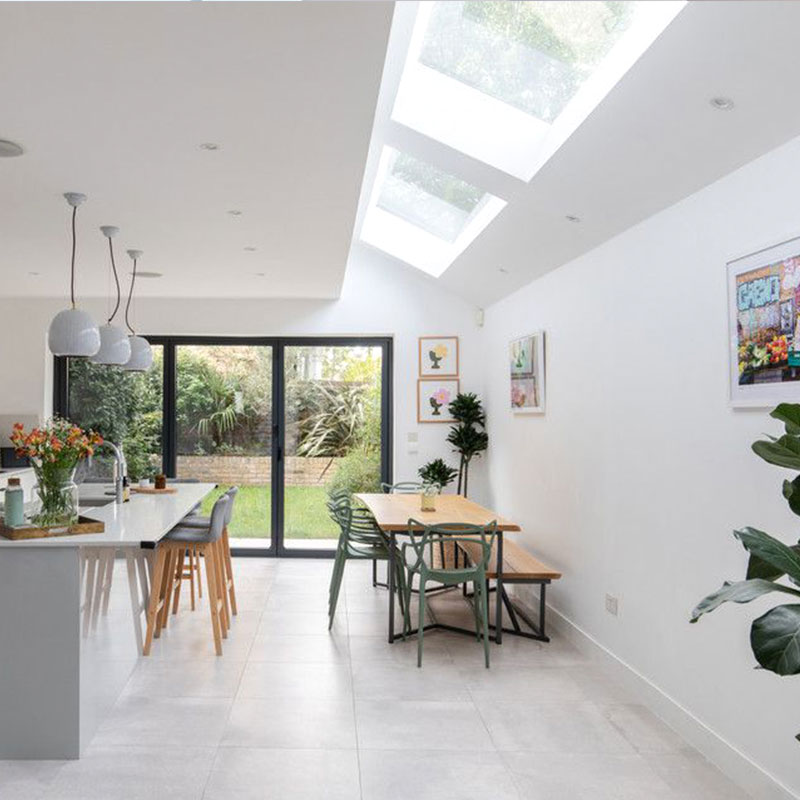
(775, 635)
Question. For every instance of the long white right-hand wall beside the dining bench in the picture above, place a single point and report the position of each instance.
(634, 479)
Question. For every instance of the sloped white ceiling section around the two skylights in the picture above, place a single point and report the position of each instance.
(654, 140)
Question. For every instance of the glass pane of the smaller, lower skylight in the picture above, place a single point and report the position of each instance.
(428, 197)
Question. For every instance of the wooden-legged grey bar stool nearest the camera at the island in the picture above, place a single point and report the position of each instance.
(172, 550)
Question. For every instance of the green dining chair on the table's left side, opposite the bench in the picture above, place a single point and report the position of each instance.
(359, 539)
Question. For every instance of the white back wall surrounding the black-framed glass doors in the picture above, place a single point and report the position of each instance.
(378, 298)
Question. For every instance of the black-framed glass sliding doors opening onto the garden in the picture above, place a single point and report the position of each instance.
(285, 420)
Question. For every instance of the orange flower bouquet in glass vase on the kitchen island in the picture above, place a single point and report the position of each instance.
(54, 451)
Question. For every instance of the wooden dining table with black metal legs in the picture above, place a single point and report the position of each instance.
(401, 514)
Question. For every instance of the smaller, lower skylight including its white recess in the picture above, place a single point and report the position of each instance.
(422, 214)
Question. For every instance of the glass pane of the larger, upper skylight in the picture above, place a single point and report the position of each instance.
(531, 55)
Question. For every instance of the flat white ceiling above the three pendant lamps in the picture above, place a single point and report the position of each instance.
(114, 99)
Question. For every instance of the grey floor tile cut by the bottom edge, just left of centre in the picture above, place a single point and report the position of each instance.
(260, 774)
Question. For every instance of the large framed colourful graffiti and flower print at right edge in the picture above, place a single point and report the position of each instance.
(764, 326)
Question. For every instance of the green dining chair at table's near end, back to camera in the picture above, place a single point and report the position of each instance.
(416, 555)
